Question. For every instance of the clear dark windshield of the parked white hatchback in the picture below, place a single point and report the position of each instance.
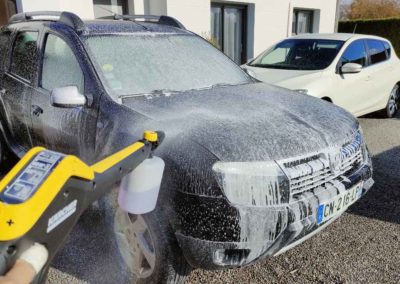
(300, 54)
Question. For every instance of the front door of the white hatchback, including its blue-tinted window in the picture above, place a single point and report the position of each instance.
(351, 90)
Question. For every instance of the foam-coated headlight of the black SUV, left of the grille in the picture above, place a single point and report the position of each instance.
(253, 183)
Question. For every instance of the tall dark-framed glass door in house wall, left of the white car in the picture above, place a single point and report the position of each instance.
(227, 29)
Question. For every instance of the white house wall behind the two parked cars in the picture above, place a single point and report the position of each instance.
(268, 20)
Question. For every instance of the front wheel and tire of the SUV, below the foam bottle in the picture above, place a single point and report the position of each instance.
(149, 248)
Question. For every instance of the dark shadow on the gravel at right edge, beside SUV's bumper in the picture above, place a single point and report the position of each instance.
(382, 201)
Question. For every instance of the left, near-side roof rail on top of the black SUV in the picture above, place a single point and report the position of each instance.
(67, 18)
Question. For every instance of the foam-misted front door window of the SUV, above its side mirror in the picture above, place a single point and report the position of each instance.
(60, 66)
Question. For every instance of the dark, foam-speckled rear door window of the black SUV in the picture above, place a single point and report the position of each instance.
(24, 55)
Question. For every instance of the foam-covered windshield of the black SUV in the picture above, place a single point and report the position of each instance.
(138, 64)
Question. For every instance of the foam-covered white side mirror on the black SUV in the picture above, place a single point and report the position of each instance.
(67, 97)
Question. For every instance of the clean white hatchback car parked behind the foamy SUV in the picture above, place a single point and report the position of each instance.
(360, 73)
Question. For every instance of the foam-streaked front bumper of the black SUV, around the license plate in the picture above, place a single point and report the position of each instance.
(245, 234)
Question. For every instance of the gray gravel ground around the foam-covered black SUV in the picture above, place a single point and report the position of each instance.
(363, 246)
